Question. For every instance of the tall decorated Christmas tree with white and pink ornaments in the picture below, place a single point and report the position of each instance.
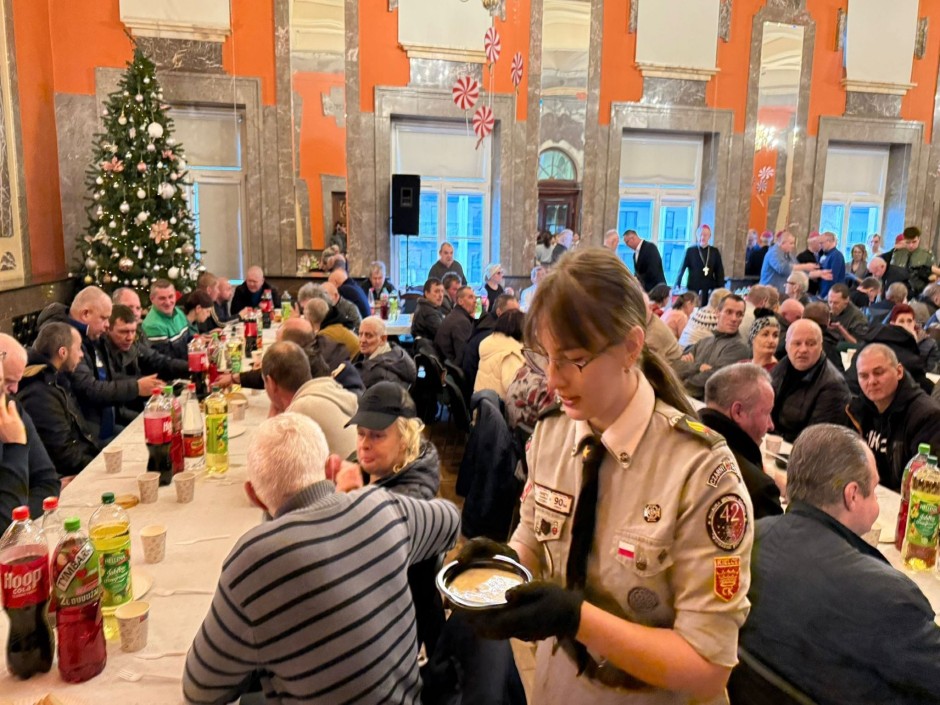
(140, 226)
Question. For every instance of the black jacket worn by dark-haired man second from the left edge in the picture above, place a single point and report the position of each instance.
(47, 397)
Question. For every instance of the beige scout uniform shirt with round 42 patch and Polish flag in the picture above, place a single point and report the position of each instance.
(672, 538)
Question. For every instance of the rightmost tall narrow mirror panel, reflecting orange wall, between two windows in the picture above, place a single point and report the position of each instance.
(777, 124)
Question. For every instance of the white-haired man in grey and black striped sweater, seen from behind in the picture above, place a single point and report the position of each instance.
(316, 601)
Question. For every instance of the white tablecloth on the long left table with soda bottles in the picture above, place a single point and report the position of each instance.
(220, 507)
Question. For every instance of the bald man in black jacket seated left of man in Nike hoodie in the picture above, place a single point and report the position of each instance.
(808, 388)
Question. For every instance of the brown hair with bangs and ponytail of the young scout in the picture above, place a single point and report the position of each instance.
(591, 300)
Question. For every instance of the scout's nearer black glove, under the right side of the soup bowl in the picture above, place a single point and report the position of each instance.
(533, 612)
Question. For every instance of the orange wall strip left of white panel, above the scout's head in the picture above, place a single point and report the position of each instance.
(620, 78)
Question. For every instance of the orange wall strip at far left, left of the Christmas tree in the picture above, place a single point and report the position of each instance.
(40, 150)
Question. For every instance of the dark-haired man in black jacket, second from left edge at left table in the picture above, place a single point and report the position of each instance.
(46, 394)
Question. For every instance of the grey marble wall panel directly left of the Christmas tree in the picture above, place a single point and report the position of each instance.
(76, 125)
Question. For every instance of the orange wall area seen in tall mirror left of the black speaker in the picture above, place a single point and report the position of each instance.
(322, 144)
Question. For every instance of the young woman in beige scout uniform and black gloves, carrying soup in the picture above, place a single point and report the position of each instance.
(635, 521)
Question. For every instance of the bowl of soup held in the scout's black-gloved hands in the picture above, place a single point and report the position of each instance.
(481, 584)
